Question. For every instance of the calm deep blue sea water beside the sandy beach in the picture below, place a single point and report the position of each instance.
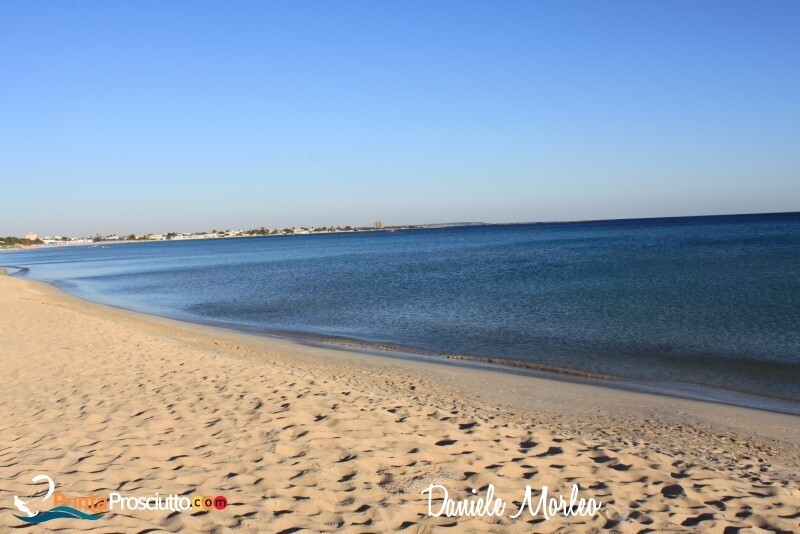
(693, 303)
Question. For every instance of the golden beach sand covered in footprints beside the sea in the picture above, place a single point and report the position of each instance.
(302, 437)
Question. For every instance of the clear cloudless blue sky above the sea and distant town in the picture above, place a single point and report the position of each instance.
(186, 116)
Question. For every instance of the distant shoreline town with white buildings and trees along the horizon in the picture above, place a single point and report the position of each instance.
(33, 240)
